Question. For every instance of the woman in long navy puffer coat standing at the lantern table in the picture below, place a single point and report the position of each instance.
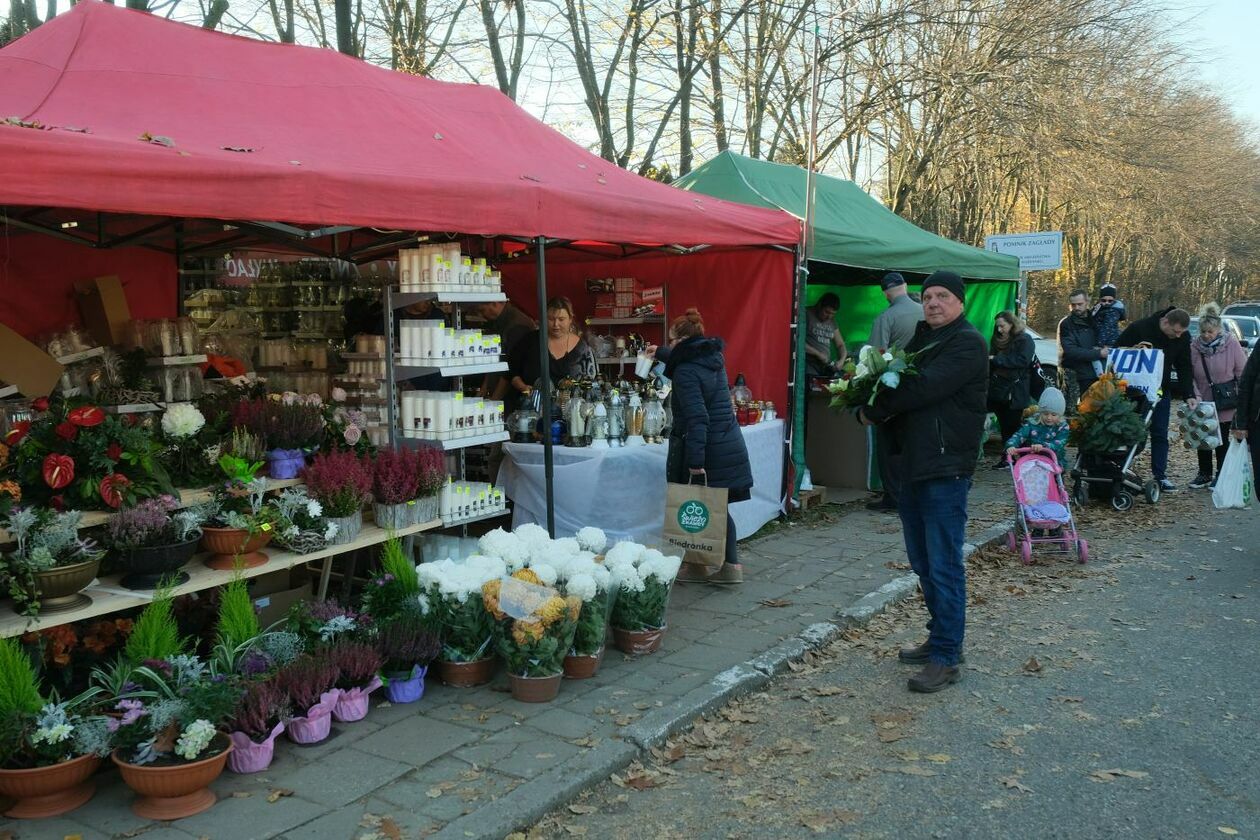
(705, 441)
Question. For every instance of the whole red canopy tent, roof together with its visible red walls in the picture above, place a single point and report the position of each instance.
(132, 133)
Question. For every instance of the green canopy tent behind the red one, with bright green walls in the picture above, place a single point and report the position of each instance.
(856, 241)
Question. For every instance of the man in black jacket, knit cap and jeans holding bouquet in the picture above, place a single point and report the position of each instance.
(937, 417)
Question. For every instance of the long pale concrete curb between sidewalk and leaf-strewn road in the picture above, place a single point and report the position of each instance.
(537, 798)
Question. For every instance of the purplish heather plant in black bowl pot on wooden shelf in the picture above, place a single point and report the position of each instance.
(154, 540)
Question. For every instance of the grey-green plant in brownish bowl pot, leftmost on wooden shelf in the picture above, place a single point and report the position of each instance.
(52, 565)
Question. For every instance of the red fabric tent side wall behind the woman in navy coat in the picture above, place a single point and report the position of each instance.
(744, 297)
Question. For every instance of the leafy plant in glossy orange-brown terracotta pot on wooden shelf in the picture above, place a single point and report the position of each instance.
(243, 522)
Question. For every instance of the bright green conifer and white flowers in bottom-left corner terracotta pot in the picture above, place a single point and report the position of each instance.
(49, 749)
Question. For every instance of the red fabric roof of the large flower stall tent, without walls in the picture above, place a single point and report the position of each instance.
(335, 142)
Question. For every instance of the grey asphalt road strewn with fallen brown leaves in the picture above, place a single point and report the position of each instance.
(1118, 700)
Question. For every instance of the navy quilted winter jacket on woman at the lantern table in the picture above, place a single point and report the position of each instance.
(705, 433)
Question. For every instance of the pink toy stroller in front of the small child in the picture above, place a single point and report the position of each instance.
(1043, 506)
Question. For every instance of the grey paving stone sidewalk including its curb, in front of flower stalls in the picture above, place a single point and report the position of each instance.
(477, 764)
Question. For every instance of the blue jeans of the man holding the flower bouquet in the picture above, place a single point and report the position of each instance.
(934, 525)
